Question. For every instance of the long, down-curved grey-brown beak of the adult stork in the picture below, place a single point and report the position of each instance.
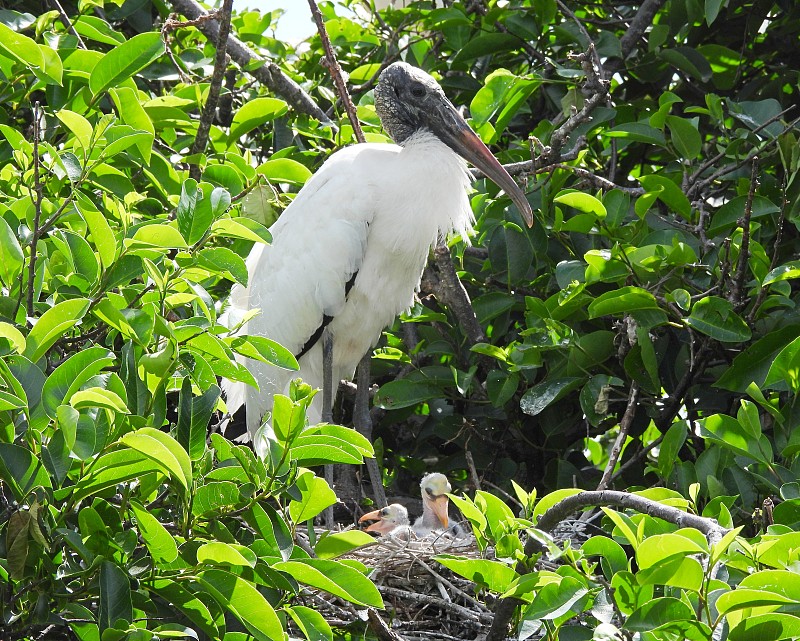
(454, 131)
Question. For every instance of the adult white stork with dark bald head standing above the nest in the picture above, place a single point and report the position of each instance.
(348, 252)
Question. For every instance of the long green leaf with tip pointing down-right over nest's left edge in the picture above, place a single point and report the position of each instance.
(334, 577)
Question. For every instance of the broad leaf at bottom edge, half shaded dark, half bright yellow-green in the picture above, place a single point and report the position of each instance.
(245, 602)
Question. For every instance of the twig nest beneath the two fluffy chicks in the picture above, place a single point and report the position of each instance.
(423, 599)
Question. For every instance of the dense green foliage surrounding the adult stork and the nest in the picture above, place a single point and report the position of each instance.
(644, 330)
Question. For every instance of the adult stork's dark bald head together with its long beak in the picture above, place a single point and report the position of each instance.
(409, 100)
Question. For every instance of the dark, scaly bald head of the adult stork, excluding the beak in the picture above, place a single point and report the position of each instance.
(404, 99)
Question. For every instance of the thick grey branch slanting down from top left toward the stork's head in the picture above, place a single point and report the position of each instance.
(269, 74)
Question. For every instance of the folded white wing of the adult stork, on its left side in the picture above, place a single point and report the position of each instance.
(300, 281)
